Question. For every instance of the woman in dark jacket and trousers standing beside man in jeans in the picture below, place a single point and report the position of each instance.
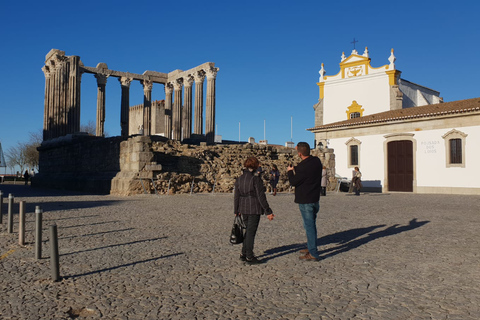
(250, 202)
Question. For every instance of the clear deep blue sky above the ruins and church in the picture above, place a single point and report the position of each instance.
(268, 52)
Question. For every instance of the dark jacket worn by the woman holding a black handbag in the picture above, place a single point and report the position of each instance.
(250, 195)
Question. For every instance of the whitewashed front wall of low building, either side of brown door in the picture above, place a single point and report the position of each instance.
(430, 157)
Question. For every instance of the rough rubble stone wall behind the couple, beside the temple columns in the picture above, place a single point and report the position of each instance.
(167, 166)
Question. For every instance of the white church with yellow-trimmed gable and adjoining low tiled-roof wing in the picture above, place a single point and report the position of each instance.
(400, 134)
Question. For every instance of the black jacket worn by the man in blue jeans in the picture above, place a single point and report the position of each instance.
(307, 180)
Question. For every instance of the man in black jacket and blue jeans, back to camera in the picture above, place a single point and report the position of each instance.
(306, 177)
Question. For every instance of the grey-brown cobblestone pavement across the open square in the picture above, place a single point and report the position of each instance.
(384, 256)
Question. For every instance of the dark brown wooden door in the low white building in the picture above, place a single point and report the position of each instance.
(400, 166)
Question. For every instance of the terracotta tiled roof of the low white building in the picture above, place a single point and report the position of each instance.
(428, 111)
